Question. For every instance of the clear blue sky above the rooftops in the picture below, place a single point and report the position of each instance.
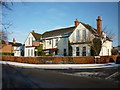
(46, 16)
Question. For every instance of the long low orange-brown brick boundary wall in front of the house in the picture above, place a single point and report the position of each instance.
(59, 60)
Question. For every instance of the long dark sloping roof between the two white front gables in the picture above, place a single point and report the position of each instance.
(62, 31)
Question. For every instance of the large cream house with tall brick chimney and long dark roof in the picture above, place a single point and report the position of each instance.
(75, 40)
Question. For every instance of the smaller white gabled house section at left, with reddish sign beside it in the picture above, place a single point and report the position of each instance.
(32, 44)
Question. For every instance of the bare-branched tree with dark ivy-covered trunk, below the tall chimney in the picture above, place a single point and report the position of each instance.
(95, 42)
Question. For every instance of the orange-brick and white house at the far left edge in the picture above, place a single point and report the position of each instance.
(11, 48)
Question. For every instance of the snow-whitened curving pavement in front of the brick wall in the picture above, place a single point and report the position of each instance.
(61, 66)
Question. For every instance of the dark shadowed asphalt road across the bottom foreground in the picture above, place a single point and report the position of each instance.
(19, 77)
